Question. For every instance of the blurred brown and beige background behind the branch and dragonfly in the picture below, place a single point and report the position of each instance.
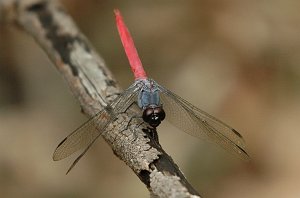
(237, 60)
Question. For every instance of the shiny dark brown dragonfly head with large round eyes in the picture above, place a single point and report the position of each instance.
(154, 115)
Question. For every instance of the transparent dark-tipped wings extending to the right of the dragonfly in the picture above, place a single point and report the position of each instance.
(198, 123)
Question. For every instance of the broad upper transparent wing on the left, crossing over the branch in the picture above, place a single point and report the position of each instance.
(88, 132)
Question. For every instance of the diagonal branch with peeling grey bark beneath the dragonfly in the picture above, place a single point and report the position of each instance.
(94, 86)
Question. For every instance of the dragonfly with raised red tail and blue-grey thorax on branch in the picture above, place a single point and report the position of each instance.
(156, 104)
